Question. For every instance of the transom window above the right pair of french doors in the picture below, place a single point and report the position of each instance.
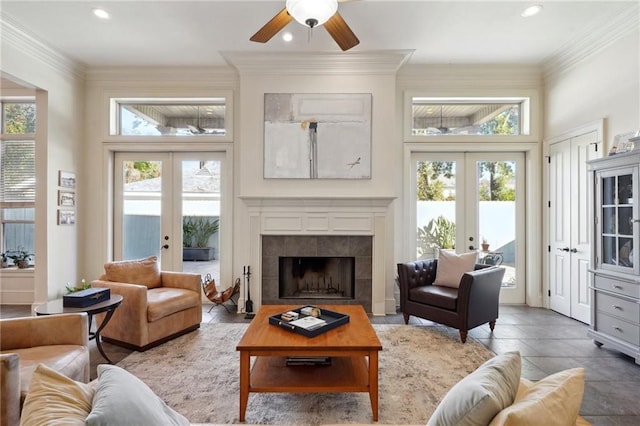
(469, 116)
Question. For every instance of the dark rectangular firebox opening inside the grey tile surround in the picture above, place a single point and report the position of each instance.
(316, 277)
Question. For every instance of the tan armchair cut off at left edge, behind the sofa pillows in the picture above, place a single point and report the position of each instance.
(58, 341)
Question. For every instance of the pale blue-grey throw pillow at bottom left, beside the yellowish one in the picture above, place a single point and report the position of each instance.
(123, 399)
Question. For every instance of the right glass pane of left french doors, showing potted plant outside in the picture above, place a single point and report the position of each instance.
(201, 186)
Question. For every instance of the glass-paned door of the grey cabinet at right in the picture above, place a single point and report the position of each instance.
(617, 220)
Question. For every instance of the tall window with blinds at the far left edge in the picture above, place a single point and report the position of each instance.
(17, 179)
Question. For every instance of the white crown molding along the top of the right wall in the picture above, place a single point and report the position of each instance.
(572, 53)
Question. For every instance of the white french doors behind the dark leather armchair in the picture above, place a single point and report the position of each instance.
(472, 202)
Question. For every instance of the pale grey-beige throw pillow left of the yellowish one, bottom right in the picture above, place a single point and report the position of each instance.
(477, 398)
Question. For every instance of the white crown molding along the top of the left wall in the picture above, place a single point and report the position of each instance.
(18, 37)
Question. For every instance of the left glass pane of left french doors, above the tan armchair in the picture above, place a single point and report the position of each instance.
(142, 196)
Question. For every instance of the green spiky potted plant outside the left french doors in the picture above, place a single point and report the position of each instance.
(196, 233)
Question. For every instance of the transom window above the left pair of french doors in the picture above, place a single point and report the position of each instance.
(169, 117)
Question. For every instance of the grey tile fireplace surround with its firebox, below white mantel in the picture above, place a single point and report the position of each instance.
(322, 269)
